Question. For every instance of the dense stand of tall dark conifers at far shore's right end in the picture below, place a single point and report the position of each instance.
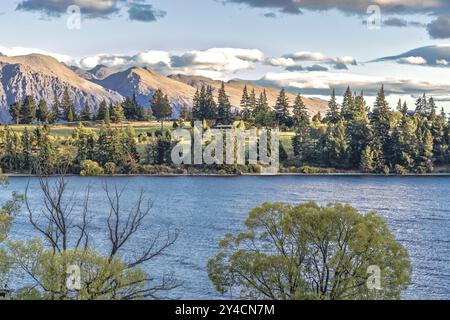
(379, 140)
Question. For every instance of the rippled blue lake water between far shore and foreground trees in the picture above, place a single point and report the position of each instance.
(417, 210)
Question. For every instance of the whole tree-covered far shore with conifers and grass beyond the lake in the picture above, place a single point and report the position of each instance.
(350, 138)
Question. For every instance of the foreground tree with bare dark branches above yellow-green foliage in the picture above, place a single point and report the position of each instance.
(111, 275)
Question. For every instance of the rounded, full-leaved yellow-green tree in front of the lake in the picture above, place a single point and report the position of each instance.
(310, 252)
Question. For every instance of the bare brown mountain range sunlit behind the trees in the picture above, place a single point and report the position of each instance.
(46, 78)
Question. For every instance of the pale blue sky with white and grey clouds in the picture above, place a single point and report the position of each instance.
(310, 46)
